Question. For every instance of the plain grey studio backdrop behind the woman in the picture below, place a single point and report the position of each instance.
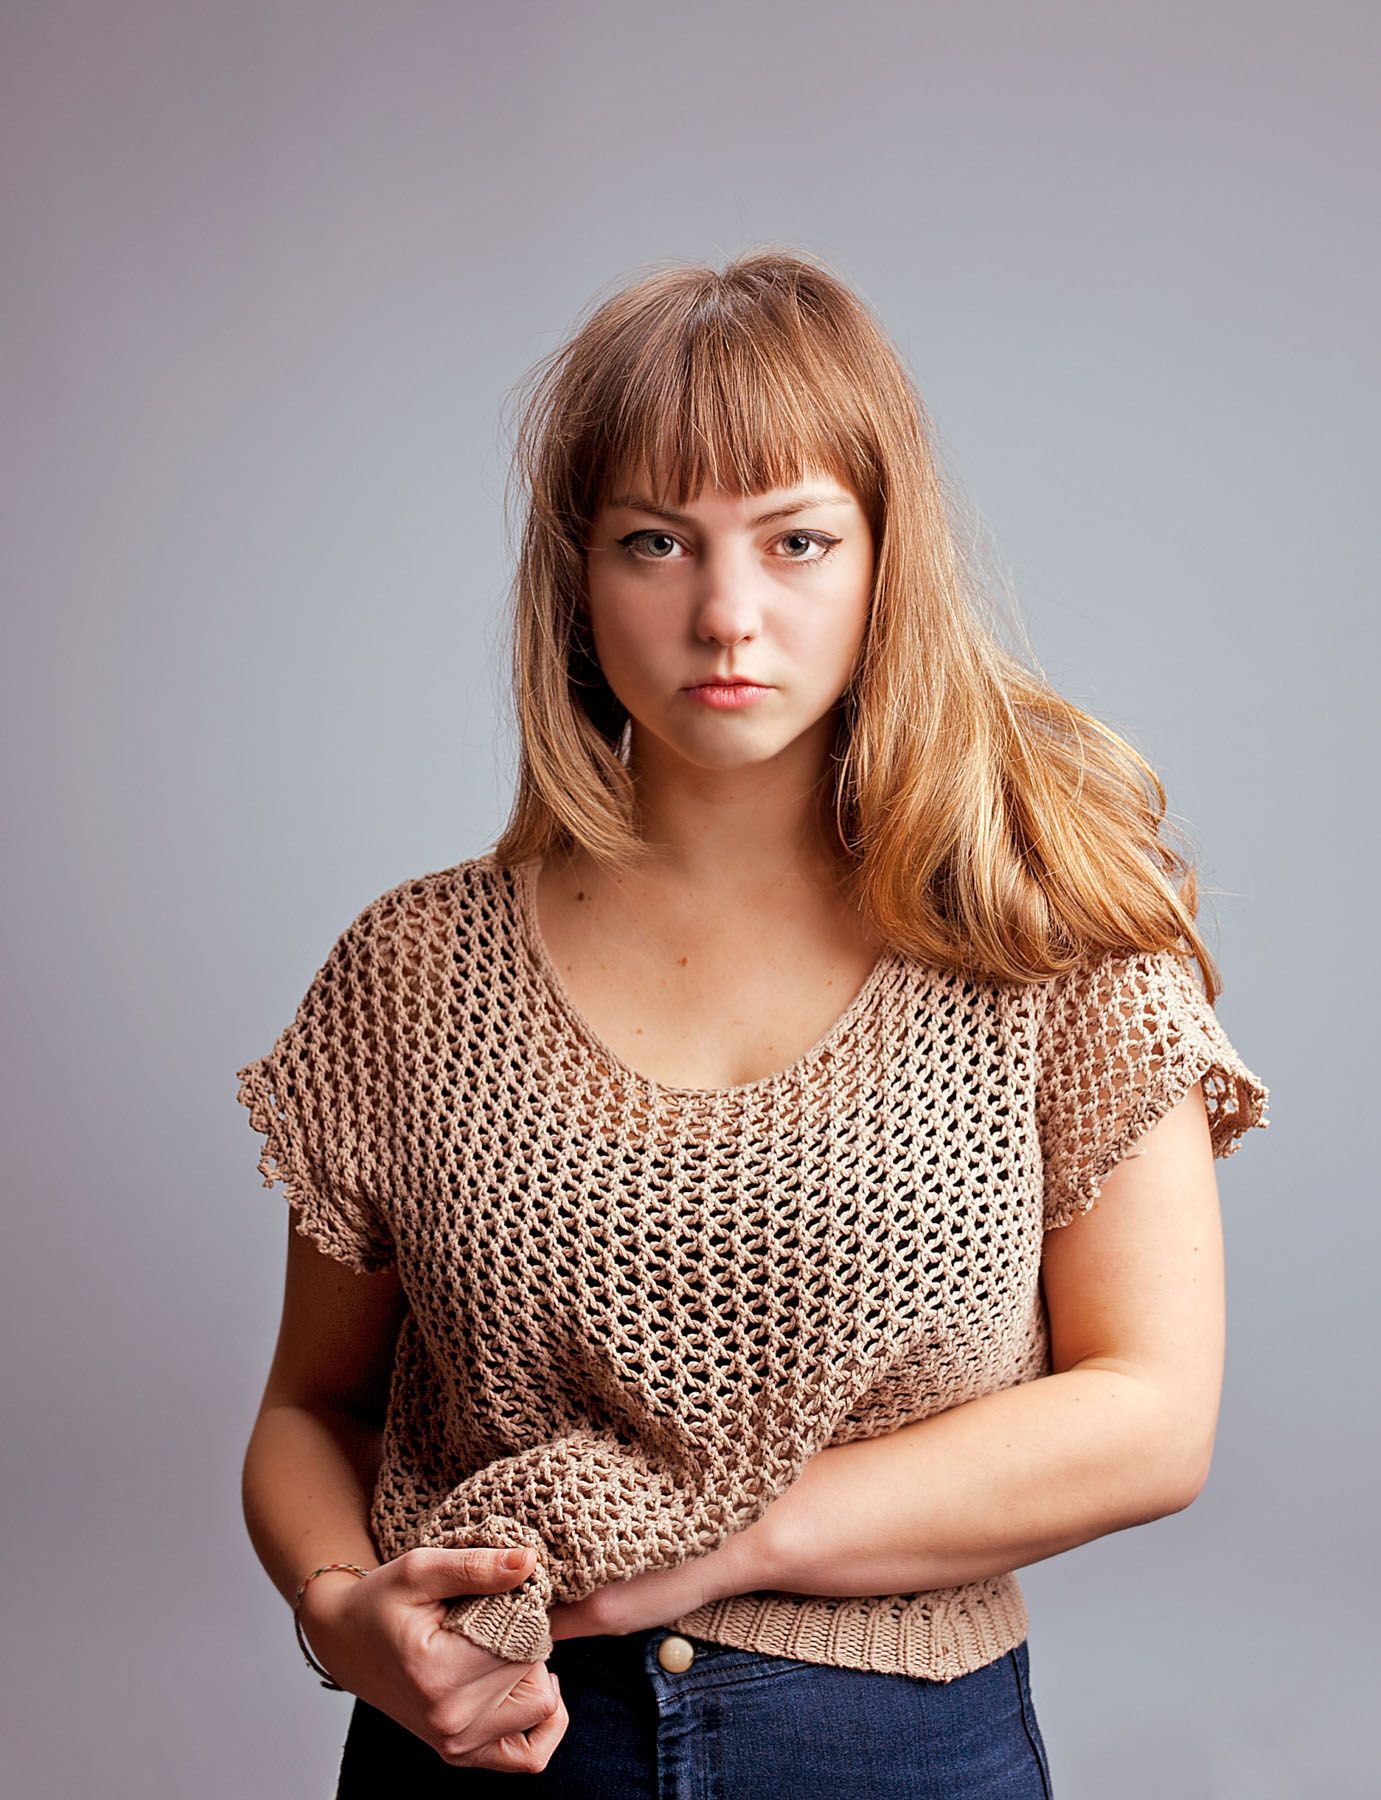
(271, 273)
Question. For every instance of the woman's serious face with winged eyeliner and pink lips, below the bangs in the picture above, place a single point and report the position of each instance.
(772, 586)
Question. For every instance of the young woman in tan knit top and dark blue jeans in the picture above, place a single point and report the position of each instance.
(696, 1194)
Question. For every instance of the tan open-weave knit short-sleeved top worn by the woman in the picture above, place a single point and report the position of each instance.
(638, 1311)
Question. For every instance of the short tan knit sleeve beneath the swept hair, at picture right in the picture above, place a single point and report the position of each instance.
(1124, 1036)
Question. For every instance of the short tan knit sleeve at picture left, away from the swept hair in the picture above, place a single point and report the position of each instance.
(316, 1099)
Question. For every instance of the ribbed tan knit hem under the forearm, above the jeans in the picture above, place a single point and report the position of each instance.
(937, 1635)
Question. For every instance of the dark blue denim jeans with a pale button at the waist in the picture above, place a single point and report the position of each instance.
(741, 1727)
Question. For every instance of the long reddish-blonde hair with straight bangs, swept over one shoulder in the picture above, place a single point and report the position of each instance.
(984, 822)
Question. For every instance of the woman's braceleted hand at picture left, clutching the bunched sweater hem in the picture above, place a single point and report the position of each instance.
(381, 1637)
